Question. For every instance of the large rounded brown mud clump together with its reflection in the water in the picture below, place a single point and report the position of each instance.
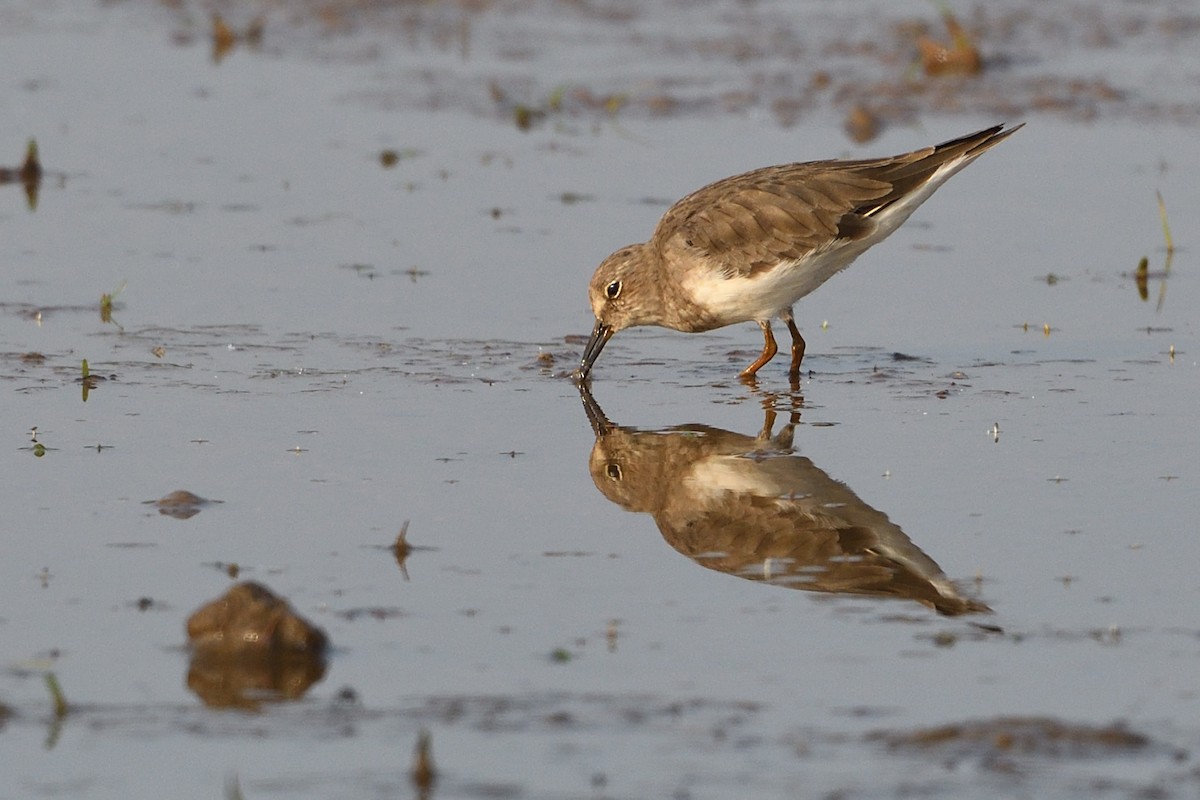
(249, 647)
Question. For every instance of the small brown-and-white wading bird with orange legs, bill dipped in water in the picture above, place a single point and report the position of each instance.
(748, 248)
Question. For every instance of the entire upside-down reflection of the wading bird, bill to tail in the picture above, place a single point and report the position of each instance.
(751, 507)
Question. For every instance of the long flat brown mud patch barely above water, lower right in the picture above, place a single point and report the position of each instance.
(995, 742)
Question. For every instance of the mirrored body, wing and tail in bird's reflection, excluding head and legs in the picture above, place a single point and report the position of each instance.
(785, 521)
